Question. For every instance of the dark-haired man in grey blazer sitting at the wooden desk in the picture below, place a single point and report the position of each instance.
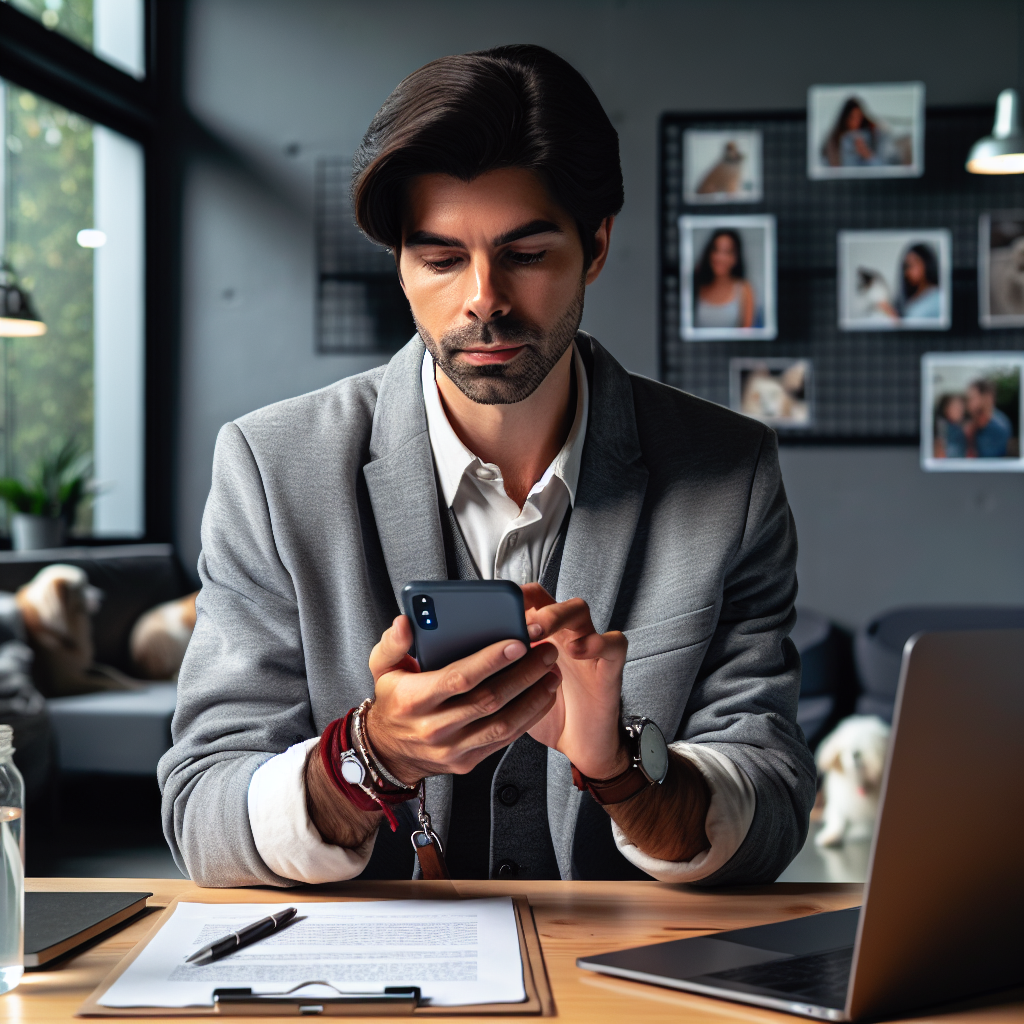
(500, 443)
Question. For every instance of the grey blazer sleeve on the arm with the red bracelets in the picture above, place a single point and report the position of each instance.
(243, 696)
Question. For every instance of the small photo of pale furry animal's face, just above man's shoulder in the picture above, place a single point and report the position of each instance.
(777, 392)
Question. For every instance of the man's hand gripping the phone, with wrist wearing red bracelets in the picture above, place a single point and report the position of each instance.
(433, 723)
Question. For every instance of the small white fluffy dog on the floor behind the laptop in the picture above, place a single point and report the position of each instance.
(852, 758)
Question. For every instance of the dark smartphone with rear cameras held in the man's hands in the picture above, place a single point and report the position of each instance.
(453, 619)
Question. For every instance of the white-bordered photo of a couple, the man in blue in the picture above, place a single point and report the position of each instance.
(971, 411)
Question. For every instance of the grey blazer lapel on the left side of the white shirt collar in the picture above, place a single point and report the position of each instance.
(401, 476)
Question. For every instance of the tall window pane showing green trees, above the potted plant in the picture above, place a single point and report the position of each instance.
(72, 231)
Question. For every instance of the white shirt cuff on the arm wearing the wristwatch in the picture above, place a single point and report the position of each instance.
(730, 818)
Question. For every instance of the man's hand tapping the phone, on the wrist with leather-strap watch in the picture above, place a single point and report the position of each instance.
(585, 722)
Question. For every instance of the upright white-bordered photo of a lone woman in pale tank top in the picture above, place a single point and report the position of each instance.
(728, 274)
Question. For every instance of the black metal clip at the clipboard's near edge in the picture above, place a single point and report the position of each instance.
(396, 1001)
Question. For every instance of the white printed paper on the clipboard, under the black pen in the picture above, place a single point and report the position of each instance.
(458, 952)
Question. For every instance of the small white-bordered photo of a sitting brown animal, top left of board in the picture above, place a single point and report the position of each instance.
(721, 166)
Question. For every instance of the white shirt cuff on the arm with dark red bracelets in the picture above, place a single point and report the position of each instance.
(286, 839)
